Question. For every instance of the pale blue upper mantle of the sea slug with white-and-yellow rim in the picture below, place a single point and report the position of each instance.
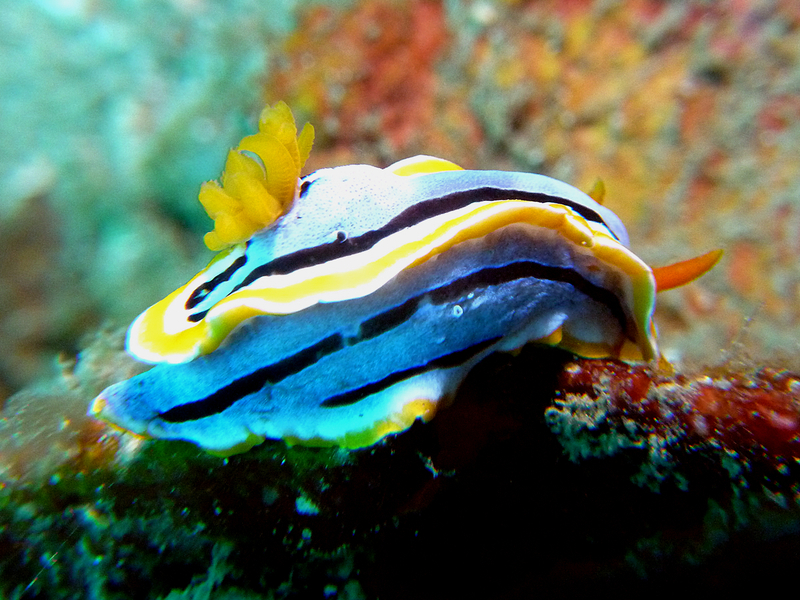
(327, 249)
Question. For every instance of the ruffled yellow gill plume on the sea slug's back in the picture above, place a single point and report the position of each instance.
(256, 192)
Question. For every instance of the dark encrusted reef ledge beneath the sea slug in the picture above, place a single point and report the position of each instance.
(544, 472)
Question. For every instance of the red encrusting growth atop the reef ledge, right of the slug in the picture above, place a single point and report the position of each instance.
(757, 414)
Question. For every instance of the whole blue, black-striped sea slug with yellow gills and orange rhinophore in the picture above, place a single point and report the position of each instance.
(347, 304)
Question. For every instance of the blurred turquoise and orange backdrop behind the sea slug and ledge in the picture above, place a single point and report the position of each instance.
(114, 112)
